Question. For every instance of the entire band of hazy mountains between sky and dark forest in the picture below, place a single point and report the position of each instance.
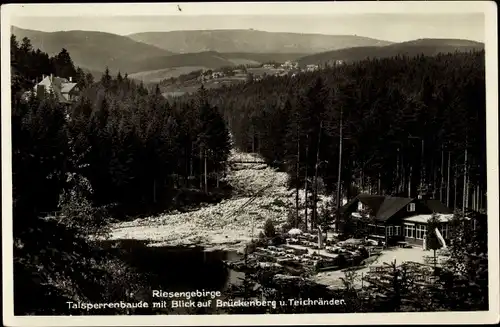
(93, 51)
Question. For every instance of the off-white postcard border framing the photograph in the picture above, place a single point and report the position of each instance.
(305, 8)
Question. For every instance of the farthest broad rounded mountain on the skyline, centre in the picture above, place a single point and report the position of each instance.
(252, 41)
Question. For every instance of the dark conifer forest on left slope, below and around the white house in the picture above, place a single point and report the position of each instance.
(119, 146)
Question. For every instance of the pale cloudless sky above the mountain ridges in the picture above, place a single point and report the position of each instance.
(390, 27)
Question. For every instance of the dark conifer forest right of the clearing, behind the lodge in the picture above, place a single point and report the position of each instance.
(403, 126)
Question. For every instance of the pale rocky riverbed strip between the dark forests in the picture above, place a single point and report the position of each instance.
(227, 225)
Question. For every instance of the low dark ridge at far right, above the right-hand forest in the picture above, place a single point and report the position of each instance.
(428, 47)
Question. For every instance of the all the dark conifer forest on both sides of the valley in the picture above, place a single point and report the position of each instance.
(122, 145)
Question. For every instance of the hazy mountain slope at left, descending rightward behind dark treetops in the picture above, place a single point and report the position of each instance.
(94, 51)
